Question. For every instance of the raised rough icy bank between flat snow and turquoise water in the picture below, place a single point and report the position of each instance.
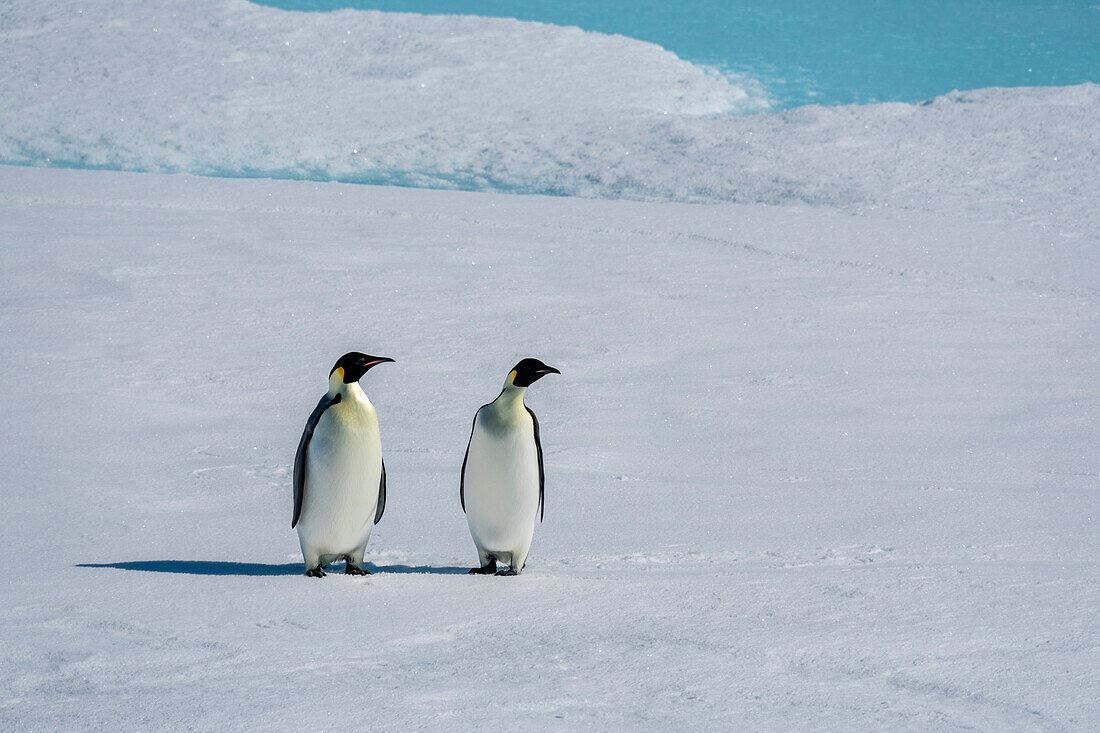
(226, 87)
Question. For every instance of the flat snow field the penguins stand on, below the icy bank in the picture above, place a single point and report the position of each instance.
(805, 471)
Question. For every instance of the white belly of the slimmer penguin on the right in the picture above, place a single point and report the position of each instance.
(502, 490)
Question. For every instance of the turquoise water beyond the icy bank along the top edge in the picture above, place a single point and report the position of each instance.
(830, 52)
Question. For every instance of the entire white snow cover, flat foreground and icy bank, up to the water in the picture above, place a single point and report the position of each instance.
(823, 454)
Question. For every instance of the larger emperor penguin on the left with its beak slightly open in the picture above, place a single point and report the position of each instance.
(339, 477)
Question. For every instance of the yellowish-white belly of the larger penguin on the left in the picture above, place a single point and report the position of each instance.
(344, 469)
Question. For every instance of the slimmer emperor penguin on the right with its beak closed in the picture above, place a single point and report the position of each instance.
(502, 485)
